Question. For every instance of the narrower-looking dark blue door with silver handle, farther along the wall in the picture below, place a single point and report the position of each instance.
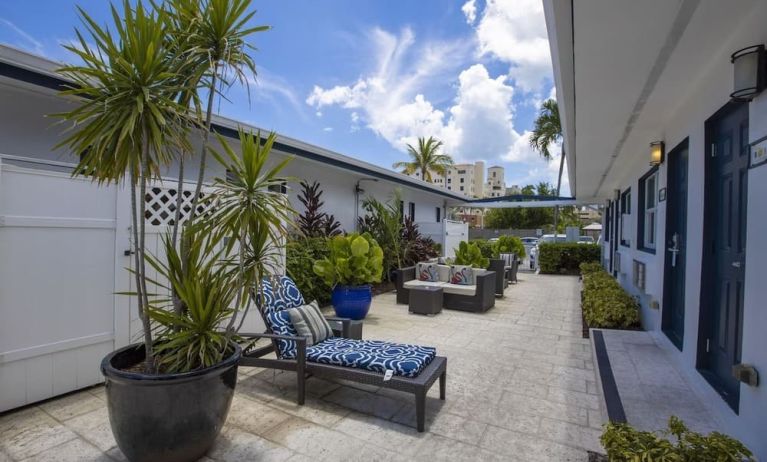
(676, 239)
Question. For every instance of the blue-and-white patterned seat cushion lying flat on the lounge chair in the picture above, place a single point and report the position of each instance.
(373, 355)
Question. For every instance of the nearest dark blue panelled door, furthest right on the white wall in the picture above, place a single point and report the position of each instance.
(724, 249)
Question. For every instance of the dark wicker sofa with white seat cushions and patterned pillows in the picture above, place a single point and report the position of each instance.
(477, 298)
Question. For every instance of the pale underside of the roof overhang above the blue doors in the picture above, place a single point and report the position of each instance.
(628, 70)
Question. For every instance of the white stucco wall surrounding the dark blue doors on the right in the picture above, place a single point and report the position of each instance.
(703, 96)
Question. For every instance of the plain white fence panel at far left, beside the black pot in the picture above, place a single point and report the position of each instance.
(57, 272)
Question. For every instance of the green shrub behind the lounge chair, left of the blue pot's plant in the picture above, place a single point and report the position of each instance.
(300, 255)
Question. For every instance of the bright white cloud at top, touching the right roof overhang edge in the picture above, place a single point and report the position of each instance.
(514, 31)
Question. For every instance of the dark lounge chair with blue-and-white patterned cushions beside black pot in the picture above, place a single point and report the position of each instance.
(415, 368)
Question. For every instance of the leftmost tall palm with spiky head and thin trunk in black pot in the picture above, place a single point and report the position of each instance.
(128, 121)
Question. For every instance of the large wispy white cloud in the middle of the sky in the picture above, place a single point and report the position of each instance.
(478, 124)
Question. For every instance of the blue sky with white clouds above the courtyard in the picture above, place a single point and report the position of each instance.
(366, 77)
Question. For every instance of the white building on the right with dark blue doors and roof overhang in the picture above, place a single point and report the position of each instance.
(685, 236)
